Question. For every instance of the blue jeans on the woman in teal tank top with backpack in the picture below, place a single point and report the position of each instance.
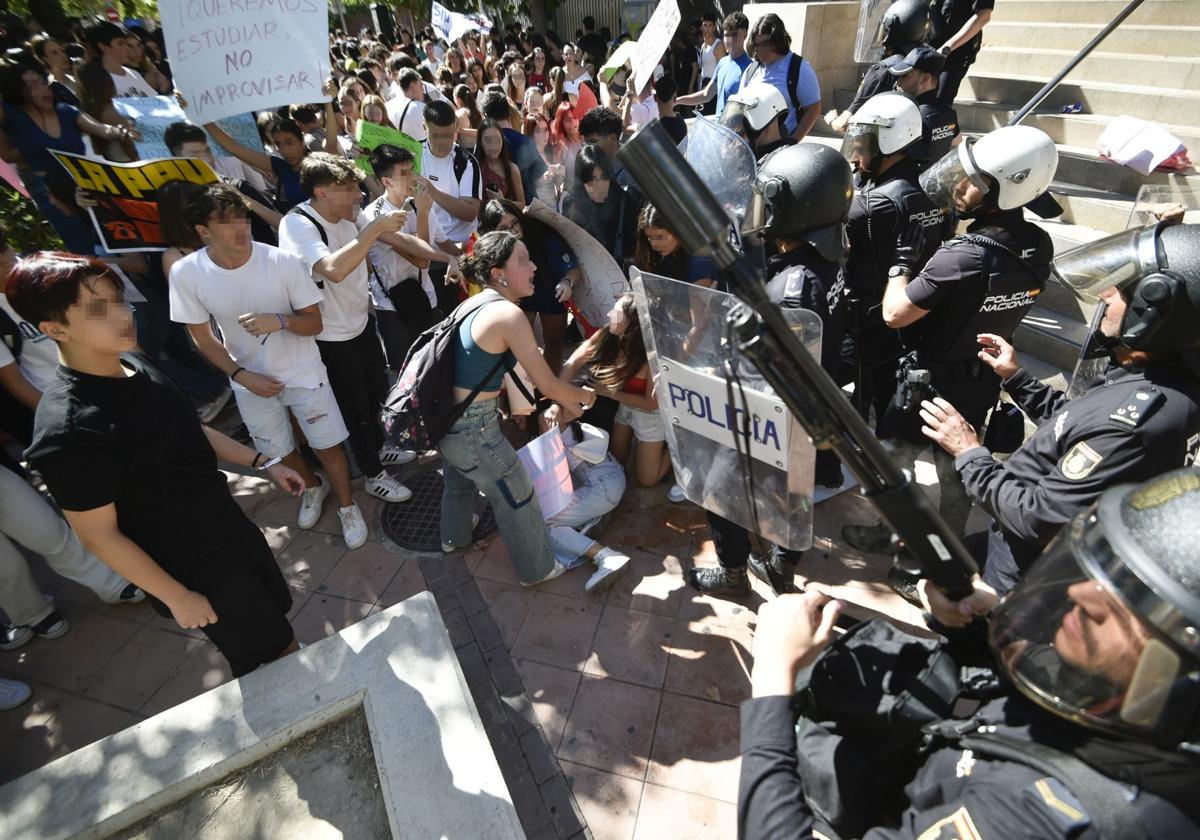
(476, 457)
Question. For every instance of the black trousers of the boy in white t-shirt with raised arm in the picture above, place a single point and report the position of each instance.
(359, 379)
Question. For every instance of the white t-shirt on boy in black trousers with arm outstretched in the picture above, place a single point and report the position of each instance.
(347, 305)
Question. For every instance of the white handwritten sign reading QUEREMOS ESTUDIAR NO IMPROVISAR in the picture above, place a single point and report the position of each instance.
(230, 57)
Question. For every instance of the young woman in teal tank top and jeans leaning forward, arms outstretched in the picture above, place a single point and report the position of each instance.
(477, 458)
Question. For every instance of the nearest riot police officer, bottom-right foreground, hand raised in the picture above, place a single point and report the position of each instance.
(1093, 733)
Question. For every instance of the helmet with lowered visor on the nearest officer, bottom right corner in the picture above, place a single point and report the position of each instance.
(1105, 629)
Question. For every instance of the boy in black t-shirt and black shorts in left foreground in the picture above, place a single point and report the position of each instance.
(136, 473)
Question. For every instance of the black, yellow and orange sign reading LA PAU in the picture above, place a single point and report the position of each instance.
(127, 214)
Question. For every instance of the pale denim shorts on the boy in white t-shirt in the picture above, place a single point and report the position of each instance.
(267, 419)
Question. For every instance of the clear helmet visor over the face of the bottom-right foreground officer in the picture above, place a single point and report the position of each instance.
(1076, 649)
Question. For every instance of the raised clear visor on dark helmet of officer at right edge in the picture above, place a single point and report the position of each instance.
(1115, 262)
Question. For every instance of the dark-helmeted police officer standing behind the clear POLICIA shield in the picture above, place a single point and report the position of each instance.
(801, 200)
